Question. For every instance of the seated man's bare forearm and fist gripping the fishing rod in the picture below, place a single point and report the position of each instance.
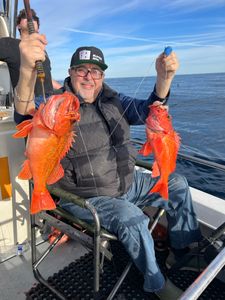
(32, 48)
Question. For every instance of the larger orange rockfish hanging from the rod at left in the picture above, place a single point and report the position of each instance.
(50, 135)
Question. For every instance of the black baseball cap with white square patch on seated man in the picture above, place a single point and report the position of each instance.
(88, 55)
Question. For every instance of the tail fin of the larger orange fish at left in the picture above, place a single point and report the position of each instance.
(41, 201)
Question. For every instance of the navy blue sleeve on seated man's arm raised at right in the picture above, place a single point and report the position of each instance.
(136, 110)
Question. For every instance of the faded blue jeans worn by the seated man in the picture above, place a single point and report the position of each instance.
(124, 217)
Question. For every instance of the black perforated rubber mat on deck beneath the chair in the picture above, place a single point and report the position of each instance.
(75, 280)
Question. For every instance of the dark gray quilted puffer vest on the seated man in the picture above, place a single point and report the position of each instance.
(101, 160)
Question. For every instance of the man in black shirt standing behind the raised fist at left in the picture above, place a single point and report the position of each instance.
(9, 53)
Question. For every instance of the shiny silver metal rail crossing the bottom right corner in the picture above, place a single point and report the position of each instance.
(204, 279)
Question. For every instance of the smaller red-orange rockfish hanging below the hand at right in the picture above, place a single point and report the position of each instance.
(164, 143)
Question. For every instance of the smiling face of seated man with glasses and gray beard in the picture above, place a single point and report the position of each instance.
(83, 82)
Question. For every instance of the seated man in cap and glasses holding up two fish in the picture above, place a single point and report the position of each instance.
(100, 164)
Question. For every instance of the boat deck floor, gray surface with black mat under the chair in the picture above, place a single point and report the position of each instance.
(69, 267)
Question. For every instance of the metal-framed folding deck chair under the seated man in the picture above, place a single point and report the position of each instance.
(94, 238)
